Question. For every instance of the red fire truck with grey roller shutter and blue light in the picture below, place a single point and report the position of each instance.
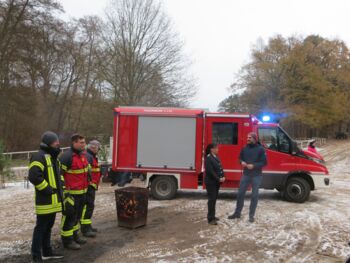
(165, 147)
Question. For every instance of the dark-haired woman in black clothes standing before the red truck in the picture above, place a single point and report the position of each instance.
(214, 175)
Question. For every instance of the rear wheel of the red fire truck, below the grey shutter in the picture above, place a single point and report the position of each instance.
(163, 187)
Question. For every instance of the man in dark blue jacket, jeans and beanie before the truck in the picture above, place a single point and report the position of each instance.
(252, 159)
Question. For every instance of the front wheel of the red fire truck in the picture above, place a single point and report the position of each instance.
(297, 190)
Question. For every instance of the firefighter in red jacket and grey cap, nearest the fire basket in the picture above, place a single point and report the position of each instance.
(86, 228)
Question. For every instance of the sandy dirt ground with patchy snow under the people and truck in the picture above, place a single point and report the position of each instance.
(177, 230)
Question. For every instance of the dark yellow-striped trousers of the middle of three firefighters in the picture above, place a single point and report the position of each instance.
(71, 222)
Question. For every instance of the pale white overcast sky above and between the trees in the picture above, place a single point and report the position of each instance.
(219, 34)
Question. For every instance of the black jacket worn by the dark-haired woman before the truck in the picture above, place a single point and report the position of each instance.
(213, 170)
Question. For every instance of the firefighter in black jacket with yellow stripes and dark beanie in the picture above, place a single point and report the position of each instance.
(44, 175)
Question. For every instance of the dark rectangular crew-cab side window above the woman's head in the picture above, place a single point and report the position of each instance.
(225, 133)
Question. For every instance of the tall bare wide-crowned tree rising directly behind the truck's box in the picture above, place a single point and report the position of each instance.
(145, 64)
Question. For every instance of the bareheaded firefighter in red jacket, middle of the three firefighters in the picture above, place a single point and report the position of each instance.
(75, 169)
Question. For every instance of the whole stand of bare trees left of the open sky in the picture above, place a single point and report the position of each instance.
(67, 76)
